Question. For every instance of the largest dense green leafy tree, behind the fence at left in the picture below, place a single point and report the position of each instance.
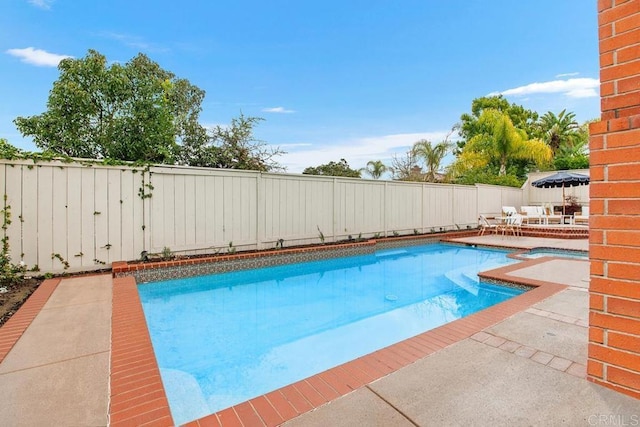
(134, 112)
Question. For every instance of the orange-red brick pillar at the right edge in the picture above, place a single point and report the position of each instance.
(614, 237)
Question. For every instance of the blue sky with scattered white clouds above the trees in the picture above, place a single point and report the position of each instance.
(353, 79)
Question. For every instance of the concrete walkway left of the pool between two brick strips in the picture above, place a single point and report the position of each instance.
(57, 373)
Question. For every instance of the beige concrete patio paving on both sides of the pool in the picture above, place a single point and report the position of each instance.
(528, 369)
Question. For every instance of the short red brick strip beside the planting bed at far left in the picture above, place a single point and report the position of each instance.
(13, 329)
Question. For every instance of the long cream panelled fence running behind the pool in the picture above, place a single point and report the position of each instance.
(87, 216)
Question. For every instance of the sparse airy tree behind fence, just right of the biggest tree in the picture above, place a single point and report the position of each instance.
(232, 147)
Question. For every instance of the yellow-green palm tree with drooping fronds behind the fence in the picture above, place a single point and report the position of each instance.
(499, 144)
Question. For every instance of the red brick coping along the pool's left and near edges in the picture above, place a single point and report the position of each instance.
(138, 396)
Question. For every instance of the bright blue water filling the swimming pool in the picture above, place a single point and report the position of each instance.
(226, 338)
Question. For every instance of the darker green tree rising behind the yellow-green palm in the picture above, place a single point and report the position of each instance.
(470, 125)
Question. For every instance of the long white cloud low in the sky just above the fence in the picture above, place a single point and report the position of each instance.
(357, 152)
